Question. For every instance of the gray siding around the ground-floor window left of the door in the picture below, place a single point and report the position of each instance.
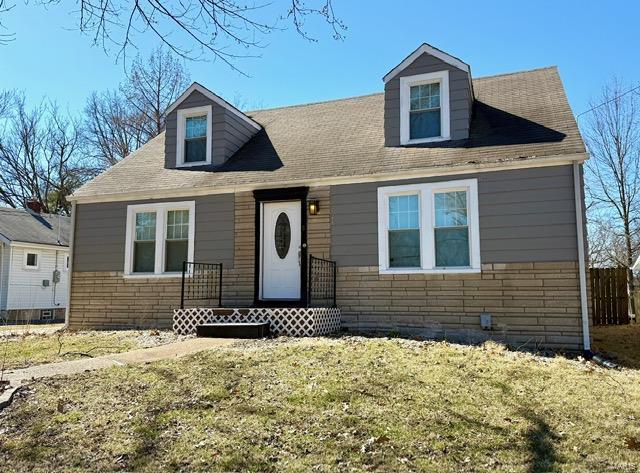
(100, 233)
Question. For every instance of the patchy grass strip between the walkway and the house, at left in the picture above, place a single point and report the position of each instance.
(22, 350)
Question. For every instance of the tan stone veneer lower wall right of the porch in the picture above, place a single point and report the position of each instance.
(533, 304)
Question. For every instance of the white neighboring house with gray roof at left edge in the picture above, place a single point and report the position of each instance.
(34, 264)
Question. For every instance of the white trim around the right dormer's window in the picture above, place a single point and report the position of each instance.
(405, 100)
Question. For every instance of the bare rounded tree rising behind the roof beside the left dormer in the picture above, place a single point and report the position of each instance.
(152, 85)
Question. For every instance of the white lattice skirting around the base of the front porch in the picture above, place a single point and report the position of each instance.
(283, 321)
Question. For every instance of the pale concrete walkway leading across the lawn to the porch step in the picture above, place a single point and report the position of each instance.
(143, 355)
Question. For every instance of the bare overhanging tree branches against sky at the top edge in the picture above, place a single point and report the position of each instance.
(195, 29)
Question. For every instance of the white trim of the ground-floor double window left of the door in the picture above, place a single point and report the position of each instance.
(161, 210)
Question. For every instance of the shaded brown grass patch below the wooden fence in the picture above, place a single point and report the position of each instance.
(621, 343)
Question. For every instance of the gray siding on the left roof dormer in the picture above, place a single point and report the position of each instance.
(228, 131)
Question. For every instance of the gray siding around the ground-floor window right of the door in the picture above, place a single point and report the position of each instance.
(526, 215)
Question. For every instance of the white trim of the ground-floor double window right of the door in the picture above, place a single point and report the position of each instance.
(427, 223)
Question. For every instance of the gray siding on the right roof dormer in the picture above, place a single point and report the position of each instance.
(460, 98)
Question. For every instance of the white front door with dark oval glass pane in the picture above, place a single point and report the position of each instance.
(281, 233)
